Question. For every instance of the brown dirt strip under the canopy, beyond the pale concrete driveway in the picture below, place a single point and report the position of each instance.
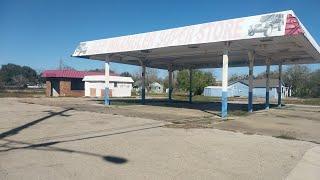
(300, 122)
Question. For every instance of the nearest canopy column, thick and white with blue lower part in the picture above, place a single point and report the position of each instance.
(224, 96)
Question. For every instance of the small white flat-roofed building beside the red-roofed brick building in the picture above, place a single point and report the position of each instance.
(119, 86)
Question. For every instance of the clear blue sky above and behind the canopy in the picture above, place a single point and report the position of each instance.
(38, 33)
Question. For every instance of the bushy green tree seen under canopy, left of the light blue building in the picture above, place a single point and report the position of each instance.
(200, 79)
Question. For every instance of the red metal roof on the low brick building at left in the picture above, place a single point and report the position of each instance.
(69, 73)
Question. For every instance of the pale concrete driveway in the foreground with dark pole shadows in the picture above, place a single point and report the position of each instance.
(44, 142)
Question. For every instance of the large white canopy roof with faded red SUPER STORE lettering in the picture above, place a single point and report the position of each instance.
(280, 36)
